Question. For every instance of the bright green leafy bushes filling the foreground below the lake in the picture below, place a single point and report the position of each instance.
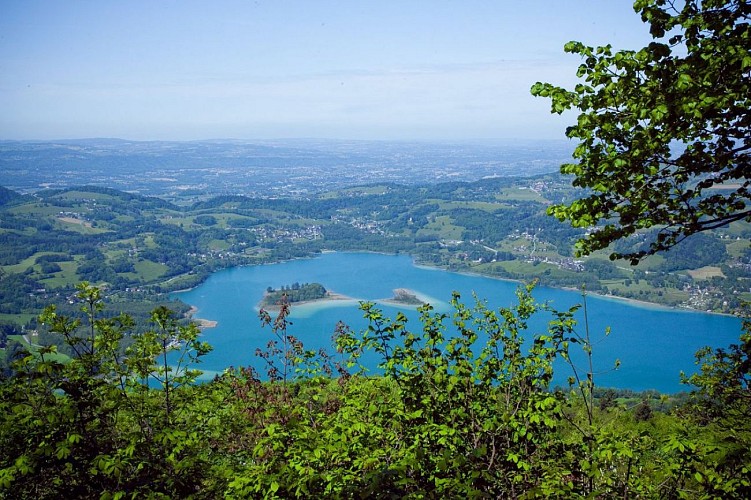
(462, 408)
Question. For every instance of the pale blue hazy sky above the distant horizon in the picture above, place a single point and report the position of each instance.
(434, 70)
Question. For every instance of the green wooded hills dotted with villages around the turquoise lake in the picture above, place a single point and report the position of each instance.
(140, 246)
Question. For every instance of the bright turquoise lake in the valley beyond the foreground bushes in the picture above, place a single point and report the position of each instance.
(653, 344)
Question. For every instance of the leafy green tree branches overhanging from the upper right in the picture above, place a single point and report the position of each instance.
(664, 131)
